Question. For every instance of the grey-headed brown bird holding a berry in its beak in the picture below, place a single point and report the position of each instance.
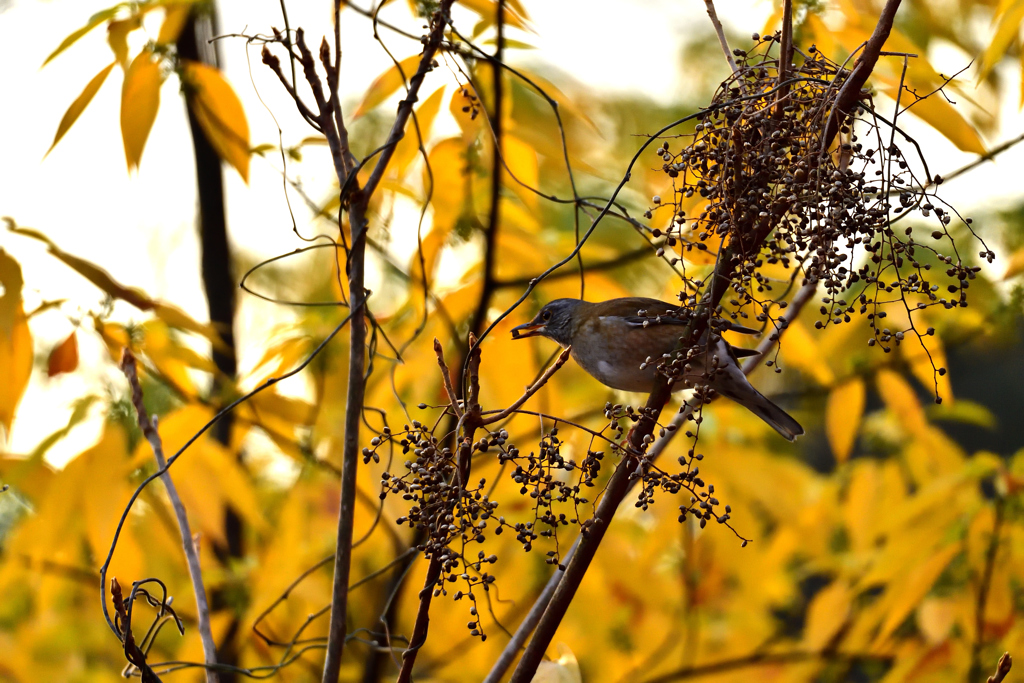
(621, 341)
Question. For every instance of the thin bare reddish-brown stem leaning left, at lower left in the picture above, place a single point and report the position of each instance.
(149, 429)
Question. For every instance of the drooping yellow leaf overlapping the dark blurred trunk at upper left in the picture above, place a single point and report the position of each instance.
(220, 113)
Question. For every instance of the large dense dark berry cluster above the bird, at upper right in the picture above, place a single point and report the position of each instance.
(759, 185)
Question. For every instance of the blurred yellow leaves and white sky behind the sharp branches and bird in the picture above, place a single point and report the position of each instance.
(887, 543)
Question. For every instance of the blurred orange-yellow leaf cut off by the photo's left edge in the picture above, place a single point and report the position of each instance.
(16, 341)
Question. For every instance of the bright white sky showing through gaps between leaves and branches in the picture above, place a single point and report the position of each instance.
(141, 227)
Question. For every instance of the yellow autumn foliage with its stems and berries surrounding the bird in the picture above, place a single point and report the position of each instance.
(471, 187)
